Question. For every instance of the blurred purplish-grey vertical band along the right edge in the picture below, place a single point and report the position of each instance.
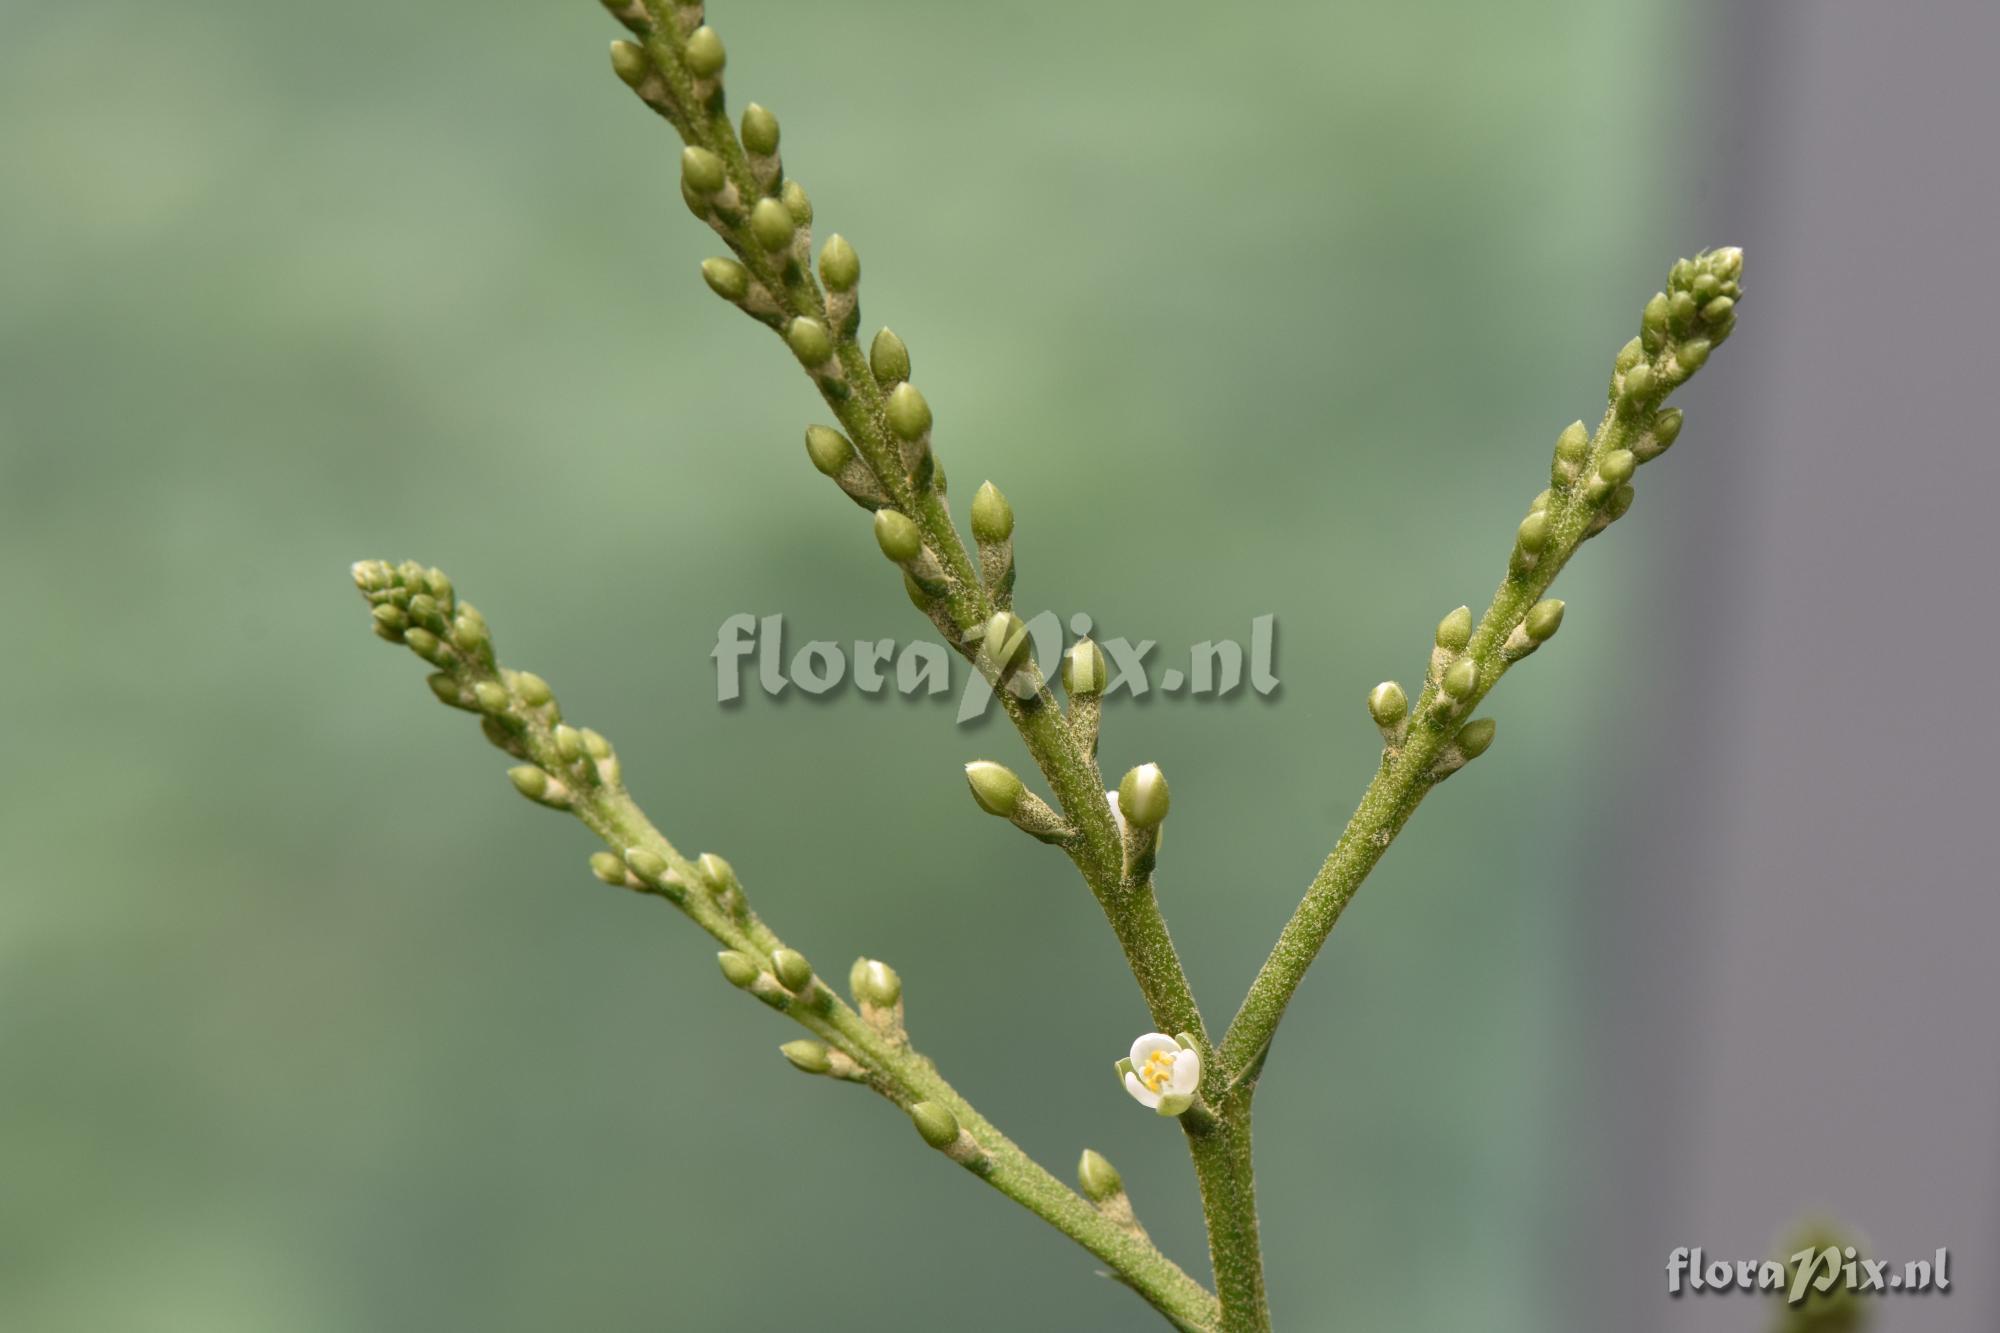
(1801, 940)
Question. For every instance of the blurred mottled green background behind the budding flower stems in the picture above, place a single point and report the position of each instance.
(309, 1024)
